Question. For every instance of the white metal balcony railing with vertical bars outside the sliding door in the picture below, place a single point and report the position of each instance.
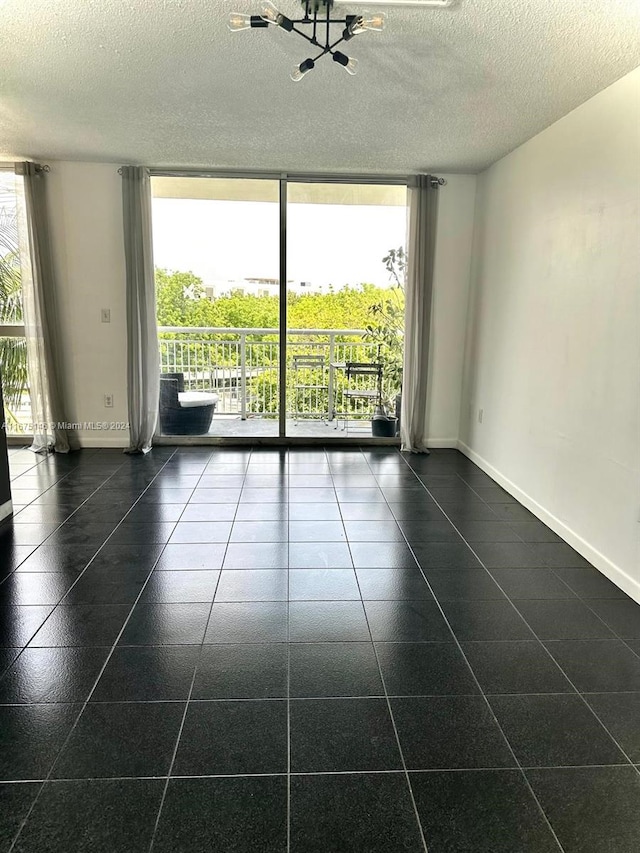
(241, 367)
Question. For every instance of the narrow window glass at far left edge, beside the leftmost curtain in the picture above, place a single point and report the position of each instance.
(13, 350)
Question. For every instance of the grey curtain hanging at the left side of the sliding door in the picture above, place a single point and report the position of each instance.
(143, 360)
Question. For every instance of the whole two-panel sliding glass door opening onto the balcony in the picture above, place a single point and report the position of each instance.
(269, 291)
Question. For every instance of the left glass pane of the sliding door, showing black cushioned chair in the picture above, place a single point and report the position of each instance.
(216, 250)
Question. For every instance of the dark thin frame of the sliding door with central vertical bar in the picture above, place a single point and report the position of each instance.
(284, 179)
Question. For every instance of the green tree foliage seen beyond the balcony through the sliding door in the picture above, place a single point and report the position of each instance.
(182, 301)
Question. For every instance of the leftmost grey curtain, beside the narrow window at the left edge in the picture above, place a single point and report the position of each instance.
(44, 356)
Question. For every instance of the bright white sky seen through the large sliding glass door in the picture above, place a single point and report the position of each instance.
(234, 240)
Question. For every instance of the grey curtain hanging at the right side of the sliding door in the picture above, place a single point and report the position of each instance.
(423, 216)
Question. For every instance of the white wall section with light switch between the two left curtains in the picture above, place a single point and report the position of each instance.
(86, 212)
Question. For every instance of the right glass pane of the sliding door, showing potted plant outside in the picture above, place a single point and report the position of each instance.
(345, 307)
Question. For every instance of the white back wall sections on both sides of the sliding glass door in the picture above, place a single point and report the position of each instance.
(86, 209)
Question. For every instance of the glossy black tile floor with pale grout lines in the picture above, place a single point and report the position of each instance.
(306, 650)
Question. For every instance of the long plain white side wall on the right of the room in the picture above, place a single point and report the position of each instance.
(553, 346)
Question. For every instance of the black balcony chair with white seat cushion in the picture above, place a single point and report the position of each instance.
(184, 412)
